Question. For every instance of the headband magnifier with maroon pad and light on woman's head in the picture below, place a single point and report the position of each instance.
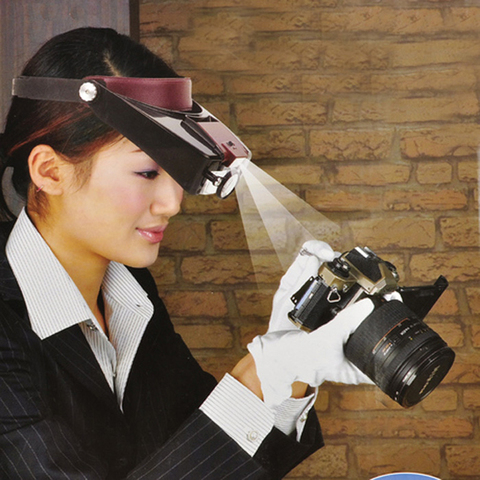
(159, 116)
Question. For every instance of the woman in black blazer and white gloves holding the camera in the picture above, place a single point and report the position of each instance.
(94, 382)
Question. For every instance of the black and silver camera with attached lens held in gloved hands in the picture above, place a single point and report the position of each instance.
(400, 353)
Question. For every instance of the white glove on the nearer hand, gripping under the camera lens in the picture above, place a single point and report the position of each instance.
(284, 357)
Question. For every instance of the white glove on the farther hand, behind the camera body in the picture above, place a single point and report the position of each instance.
(306, 265)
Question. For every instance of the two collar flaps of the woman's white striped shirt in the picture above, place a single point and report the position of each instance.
(53, 301)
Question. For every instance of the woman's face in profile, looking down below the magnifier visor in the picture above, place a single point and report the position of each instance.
(122, 210)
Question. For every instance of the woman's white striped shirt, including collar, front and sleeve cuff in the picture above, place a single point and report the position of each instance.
(54, 303)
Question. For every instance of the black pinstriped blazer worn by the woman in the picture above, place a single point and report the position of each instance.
(60, 420)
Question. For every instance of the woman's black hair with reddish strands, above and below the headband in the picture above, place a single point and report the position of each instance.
(71, 129)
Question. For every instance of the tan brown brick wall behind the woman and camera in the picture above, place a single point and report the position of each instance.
(369, 111)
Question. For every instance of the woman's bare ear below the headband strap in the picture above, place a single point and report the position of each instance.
(47, 169)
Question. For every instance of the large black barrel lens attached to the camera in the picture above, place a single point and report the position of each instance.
(400, 353)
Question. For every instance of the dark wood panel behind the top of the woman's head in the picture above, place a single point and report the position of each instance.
(27, 24)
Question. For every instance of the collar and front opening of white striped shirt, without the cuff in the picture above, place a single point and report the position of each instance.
(127, 308)
